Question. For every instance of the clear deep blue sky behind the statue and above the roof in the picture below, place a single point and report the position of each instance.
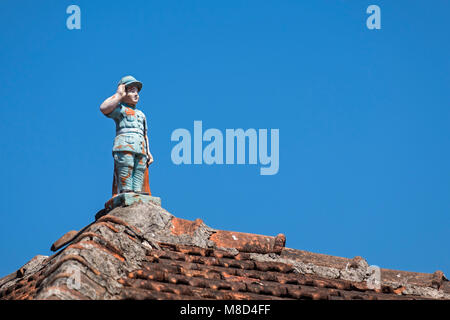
(363, 118)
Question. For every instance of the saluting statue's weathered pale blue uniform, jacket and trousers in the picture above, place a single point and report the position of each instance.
(129, 149)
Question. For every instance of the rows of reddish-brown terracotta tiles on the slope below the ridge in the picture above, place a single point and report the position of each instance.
(171, 270)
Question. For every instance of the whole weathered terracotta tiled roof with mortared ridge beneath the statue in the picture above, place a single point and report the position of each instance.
(144, 252)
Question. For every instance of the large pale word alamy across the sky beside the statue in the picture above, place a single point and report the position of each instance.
(235, 139)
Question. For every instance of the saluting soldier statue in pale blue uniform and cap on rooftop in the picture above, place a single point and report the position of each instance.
(131, 151)
